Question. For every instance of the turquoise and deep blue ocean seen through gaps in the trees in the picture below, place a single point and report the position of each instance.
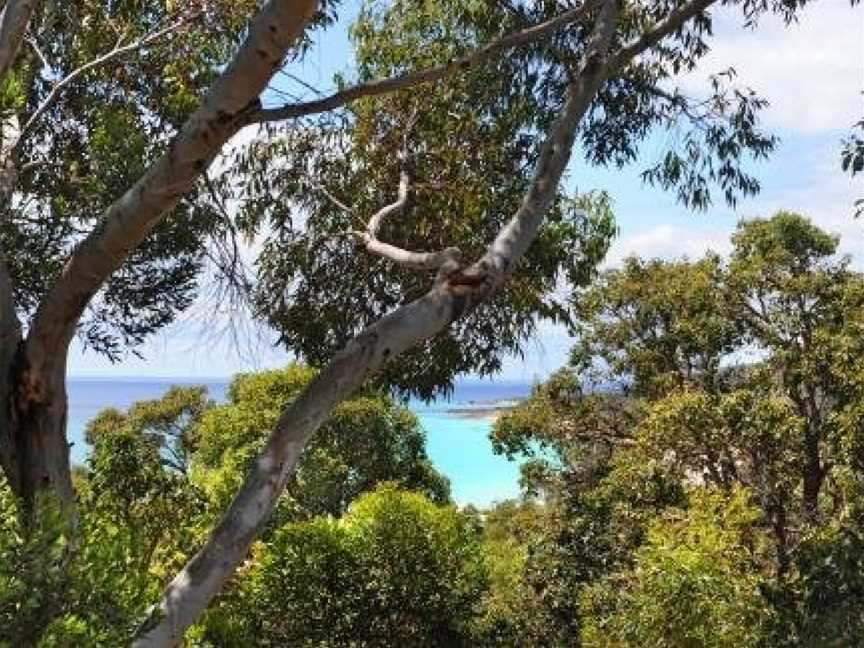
(458, 444)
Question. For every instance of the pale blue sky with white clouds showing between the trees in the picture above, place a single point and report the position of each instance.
(813, 75)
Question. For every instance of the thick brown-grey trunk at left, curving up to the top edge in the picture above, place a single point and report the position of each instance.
(41, 396)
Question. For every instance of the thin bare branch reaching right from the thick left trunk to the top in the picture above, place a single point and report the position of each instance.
(383, 86)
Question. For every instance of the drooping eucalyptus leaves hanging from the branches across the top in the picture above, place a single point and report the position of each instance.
(470, 143)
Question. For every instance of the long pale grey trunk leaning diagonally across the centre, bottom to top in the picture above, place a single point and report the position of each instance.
(193, 588)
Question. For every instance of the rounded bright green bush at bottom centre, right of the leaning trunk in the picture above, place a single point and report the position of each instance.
(395, 570)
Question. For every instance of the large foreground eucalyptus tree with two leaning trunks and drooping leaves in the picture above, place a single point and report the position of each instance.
(115, 112)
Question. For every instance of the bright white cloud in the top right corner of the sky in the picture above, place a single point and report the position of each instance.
(812, 72)
